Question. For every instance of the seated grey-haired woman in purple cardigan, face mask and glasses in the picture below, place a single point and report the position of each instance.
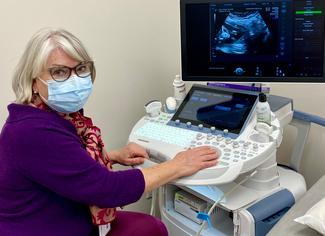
(55, 175)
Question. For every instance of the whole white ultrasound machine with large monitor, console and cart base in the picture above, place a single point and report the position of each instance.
(234, 45)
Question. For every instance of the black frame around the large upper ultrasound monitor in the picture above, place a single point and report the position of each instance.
(233, 78)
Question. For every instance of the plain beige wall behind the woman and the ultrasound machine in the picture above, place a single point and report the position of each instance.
(135, 45)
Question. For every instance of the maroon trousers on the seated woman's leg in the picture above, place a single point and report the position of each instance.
(136, 224)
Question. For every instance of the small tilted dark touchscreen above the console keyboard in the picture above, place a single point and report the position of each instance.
(222, 109)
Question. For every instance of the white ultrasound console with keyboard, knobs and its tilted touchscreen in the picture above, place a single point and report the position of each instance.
(231, 131)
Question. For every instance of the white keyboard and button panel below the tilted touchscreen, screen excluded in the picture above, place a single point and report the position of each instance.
(237, 156)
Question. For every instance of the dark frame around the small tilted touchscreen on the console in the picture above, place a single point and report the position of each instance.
(215, 90)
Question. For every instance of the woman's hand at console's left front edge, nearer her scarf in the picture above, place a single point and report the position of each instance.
(131, 154)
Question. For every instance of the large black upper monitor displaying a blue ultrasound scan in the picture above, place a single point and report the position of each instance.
(253, 41)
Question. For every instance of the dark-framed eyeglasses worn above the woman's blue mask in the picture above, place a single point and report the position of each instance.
(62, 73)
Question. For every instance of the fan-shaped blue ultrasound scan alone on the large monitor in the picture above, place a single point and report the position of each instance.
(243, 33)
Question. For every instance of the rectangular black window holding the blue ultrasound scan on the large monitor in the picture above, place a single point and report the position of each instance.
(244, 32)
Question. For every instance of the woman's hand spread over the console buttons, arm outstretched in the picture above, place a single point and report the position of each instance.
(193, 160)
